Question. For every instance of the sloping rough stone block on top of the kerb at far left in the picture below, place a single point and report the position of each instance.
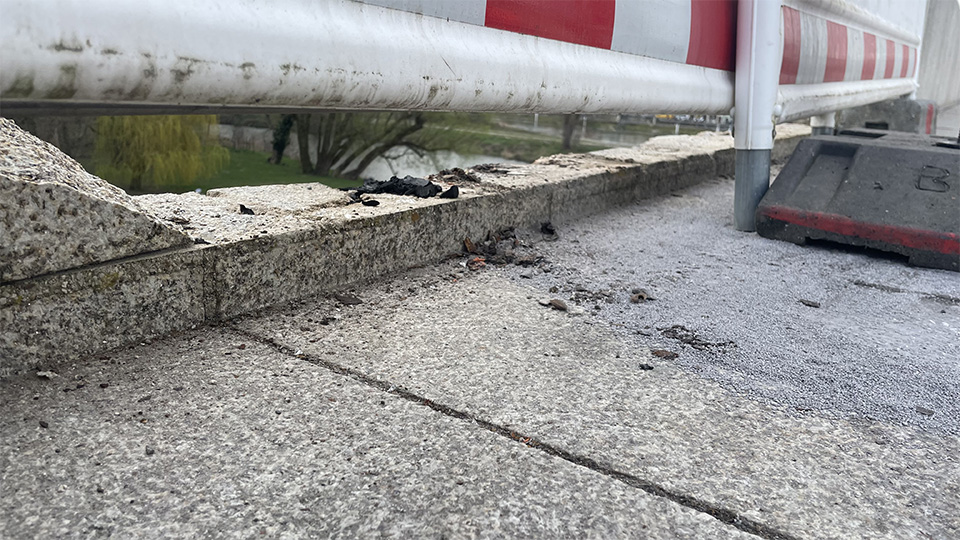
(55, 216)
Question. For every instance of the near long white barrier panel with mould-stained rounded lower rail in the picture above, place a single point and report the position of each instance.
(590, 56)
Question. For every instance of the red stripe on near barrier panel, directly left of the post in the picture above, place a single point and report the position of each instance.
(713, 30)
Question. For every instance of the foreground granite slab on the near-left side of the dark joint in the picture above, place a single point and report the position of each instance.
(210, 434)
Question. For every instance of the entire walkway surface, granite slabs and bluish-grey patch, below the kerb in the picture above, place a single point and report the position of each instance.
(795, 392)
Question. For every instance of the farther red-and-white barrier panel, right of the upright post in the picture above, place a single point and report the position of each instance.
(838, 54)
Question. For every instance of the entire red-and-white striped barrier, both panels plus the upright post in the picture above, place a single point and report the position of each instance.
(793, 58)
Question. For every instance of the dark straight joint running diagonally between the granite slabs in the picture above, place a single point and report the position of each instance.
(721, 514)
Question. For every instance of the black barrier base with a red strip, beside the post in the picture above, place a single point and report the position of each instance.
(894, 192)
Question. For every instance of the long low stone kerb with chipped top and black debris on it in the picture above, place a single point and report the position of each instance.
(301, 240)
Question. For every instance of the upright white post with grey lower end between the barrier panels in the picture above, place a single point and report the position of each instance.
(757, 76)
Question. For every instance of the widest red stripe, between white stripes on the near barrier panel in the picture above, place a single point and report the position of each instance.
(585, 22)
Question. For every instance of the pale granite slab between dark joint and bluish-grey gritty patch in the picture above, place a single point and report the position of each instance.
(484, 348)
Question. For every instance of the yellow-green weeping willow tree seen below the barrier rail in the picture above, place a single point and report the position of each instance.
(157, 153)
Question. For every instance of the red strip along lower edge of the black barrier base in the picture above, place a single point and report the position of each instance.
(945, 243)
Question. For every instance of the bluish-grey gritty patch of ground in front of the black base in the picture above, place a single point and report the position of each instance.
(876, 339)
